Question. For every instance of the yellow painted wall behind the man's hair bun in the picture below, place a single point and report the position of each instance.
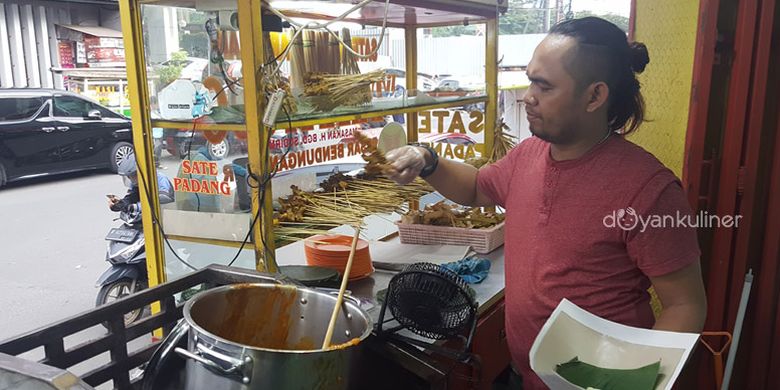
(668, 28)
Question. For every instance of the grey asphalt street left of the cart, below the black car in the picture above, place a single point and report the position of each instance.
(52, 234)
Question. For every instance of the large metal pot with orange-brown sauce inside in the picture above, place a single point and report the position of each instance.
(264, 336)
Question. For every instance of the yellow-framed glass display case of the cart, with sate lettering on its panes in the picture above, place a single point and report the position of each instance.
(202, 72)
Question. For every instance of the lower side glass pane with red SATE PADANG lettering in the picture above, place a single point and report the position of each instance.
(211, 212)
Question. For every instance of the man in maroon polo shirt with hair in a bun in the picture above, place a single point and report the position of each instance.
(576, 196)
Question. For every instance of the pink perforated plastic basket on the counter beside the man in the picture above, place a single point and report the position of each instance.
(481, 240)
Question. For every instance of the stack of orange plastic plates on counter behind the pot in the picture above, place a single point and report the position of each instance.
(332, 251)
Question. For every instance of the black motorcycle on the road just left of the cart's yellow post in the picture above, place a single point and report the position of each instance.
(127, 255)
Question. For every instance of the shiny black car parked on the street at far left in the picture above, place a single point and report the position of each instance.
(44, 131)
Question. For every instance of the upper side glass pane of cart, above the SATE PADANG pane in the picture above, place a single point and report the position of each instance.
(194, 65)
